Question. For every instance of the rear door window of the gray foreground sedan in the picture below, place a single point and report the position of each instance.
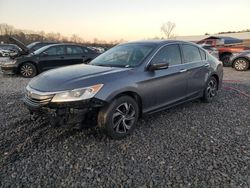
(191, 53)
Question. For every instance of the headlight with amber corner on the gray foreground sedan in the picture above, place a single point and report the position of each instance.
(77, 94)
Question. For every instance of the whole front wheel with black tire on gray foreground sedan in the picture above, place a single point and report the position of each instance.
(119, 118)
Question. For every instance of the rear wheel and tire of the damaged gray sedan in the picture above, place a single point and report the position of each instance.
(210, 90)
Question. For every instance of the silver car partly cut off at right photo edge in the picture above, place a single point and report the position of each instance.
(241, 61)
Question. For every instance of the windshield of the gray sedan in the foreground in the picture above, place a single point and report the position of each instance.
(129, 55)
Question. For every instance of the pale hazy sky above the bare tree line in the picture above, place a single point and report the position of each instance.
(127, 19)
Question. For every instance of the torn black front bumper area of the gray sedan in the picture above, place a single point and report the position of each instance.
(64, 114)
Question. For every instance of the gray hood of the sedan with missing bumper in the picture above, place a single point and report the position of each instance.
(72, 77)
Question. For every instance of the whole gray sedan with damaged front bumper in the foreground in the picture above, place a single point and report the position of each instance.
(123, 83)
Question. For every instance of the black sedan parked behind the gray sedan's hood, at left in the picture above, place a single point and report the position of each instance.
(48, 57)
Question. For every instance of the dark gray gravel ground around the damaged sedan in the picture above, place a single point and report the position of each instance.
(192, 145)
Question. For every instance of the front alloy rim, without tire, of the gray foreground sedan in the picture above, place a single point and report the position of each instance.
(123, 117)
